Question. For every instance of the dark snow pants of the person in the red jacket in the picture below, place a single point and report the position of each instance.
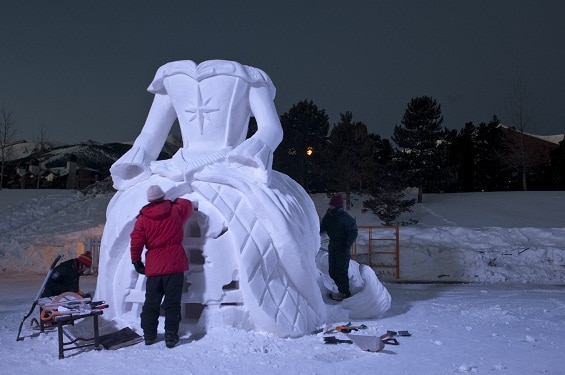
(157, 287)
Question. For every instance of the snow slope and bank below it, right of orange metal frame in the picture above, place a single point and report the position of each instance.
(487, 237)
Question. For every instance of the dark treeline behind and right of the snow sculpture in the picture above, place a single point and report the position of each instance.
(422, 153)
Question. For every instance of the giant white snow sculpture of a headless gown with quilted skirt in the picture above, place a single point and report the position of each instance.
(252, 243)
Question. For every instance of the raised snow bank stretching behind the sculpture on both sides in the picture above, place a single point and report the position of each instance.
(471, 237)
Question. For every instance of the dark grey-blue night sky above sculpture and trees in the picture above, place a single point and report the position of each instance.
(79, 70)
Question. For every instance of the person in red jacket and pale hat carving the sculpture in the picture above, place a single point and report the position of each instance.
(159, 228)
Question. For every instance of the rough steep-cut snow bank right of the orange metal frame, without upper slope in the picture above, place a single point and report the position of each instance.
(531, 255)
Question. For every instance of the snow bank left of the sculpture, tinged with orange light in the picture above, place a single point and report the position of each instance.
(37, 225)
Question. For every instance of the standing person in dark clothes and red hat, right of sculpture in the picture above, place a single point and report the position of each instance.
(342, 232)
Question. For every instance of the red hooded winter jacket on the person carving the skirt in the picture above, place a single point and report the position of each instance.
(160, 229)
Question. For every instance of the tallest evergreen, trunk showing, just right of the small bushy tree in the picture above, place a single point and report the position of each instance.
(421, 142)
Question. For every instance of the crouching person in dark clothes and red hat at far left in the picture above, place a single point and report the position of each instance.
(65, 277)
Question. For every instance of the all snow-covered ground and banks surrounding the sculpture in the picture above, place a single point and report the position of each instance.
(509, 320)
